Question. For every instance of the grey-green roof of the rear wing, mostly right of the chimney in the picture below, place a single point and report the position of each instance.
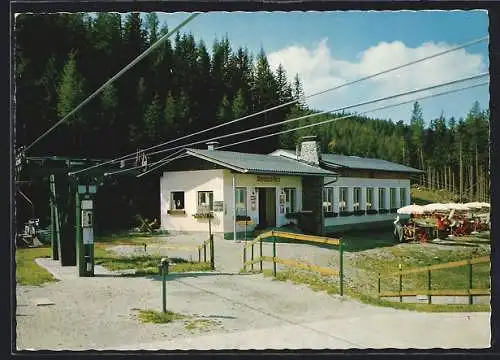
(336, 161)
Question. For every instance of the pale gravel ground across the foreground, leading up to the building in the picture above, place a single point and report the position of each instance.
(99, 313)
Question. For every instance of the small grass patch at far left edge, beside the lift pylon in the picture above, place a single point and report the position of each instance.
(27, 270)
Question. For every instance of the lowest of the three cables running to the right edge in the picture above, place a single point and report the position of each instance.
(166, 161)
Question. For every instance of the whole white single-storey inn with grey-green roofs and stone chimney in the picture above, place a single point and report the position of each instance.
(322, 192)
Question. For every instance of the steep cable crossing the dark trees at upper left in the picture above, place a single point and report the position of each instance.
(120, 73)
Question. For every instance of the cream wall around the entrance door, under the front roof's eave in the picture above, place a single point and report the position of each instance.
(250, 182)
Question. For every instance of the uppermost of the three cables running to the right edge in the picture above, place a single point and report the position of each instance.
(458, 47)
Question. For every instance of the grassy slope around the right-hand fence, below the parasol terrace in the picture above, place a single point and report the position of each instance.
(370, 253)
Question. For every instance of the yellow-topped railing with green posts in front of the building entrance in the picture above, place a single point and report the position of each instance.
(290, 262)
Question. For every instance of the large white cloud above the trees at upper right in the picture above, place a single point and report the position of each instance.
(319, 69)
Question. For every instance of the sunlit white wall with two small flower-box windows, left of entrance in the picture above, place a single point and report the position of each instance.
(190, 182)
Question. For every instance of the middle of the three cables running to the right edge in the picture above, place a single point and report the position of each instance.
(343, 108)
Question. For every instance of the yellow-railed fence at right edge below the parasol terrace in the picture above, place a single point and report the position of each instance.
(470, 291)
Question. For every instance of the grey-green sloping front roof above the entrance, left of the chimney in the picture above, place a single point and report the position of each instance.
(259, 164)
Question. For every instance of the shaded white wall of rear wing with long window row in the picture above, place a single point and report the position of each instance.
(364, 183)
